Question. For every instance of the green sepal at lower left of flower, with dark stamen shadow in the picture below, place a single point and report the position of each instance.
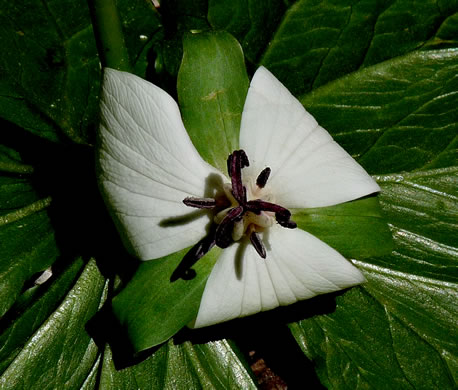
(152, 308)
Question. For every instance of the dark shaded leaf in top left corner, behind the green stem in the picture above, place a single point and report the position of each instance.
(49, 66)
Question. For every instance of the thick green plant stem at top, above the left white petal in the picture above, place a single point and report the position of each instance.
(108, 34)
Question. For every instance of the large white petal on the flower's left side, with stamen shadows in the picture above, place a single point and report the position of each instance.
(147, 165)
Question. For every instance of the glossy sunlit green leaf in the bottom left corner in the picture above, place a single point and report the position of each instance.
(70, 352)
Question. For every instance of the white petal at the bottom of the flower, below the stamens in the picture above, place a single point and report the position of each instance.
(298, 266)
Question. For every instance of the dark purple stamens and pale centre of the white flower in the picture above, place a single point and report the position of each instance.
(239, 212)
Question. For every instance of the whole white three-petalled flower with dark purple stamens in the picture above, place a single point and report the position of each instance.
(151, 174)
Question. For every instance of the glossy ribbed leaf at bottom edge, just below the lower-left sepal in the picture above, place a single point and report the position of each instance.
(214, 365)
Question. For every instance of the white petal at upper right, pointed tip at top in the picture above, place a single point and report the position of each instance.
(309, 169)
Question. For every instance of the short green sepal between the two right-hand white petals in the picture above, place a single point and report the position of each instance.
(355, 229)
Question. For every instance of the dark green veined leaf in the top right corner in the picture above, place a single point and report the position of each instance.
(318, 42)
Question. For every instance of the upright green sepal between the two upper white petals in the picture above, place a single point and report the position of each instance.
(212, 86)
